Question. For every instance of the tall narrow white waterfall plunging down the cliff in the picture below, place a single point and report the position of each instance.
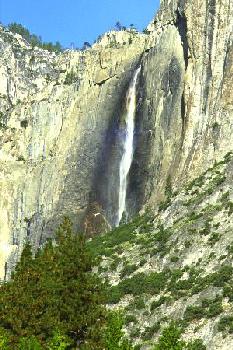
(127, 156)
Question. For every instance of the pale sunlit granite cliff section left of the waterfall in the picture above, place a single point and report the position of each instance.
(58, 122)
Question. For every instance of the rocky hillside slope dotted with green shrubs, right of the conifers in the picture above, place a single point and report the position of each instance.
(175, 264)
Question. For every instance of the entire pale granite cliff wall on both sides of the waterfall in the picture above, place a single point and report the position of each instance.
(60, 117)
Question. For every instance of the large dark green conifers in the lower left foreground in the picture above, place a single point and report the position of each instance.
(55, 291)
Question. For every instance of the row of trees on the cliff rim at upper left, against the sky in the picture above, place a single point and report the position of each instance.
(33, 39)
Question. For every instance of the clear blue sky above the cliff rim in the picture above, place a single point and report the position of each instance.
(76, 20)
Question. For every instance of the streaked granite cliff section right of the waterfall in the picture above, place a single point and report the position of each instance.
(185, 110)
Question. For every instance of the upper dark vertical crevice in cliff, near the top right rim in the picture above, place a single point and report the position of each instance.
(181, 24)
